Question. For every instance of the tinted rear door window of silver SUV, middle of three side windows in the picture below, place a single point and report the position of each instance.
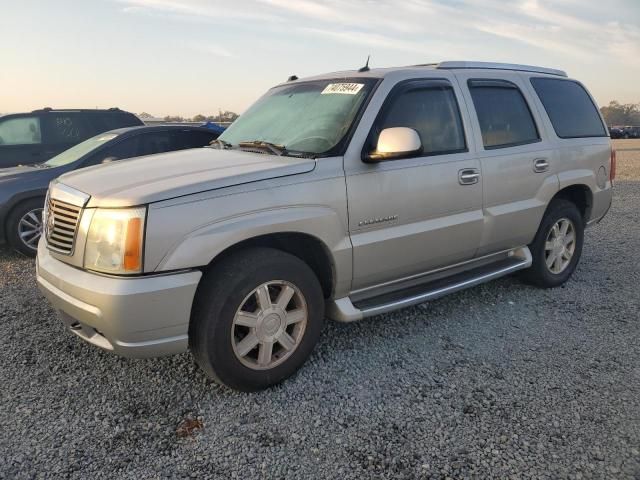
(504, 116)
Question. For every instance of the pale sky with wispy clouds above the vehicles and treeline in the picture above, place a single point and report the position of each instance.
(184, 57)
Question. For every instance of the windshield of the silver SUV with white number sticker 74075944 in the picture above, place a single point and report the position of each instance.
(310, 117)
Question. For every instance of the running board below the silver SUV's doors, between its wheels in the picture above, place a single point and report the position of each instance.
(343, 310)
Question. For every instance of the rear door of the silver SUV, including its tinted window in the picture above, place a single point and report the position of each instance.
(518, 164)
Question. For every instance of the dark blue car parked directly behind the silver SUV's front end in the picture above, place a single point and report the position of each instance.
(23, 189)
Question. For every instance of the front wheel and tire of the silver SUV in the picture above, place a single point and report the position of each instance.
(221, 318)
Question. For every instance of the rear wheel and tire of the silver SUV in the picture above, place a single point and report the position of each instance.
(558, 213)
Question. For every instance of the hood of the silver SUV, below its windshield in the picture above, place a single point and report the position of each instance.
(169, 175)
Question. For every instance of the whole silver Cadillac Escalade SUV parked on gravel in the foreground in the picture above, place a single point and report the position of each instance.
(348, 195)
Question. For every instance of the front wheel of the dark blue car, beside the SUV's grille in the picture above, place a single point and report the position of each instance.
(24, 218)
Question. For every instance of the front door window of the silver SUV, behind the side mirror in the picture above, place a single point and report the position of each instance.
(431, 111)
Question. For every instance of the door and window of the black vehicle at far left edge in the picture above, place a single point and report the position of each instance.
(21, 141)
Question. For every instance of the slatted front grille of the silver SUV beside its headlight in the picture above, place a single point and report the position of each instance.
(61, 225)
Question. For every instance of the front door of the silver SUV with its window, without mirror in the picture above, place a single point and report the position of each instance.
(411, 215)
